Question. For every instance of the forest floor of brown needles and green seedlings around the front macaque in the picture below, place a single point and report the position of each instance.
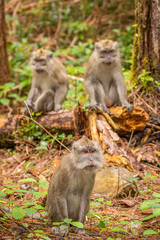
(111, 219)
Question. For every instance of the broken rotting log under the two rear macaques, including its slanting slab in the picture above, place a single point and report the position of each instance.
(97, 125)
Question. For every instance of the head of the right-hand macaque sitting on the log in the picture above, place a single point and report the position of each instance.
(107, 51)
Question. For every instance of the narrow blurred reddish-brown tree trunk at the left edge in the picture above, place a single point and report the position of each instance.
(4, 65)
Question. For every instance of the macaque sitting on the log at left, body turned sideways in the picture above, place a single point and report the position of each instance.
(49, 83)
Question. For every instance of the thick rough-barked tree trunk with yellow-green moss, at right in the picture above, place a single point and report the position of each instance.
(146, 50)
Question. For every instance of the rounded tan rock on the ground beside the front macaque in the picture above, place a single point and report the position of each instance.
(115, 182)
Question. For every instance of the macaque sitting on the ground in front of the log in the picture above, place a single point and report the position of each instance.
(72, 182)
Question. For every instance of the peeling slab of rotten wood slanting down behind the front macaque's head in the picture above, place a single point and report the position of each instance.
(116, 151)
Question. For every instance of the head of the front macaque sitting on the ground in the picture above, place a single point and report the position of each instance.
(87, 155)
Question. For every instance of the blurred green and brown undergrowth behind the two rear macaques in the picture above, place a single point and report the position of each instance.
(69, 28)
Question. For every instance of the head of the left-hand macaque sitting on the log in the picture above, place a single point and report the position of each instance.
(40, 60)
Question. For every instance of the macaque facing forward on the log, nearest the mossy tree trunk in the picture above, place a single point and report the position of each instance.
(104, 78)
